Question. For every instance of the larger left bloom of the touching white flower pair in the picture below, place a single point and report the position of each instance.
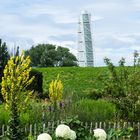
(62, 131)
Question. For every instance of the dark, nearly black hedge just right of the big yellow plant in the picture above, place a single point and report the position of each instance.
(36, 85)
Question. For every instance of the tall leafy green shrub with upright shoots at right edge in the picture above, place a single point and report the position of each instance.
(121, 86)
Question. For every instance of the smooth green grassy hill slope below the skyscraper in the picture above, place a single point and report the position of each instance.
(75, 79)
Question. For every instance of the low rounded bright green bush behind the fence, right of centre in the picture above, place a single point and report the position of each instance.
(90, 110)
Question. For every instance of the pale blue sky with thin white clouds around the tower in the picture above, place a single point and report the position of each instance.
(115, 25)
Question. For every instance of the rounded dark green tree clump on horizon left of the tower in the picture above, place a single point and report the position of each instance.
(46, 55)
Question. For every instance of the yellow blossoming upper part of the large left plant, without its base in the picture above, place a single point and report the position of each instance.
(15, 81)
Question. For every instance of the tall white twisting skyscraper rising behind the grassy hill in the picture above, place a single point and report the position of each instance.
(85, 48)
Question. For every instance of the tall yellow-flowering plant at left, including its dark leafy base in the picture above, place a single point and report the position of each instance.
(14, 84)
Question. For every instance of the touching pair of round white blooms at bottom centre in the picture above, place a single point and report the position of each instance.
(65, 132)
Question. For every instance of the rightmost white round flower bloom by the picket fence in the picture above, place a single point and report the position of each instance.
(100, 134)
